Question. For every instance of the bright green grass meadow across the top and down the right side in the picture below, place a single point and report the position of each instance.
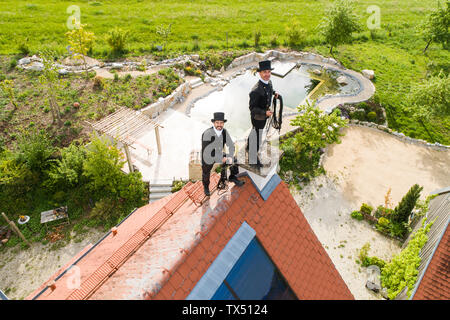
(395, 51)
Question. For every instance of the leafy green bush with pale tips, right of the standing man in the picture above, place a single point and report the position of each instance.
(301, 152)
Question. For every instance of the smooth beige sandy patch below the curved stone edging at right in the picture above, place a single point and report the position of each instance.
(368, 162)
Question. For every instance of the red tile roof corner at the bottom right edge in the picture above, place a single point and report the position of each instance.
(435, 284)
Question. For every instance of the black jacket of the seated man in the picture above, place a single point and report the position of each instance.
(213, 146)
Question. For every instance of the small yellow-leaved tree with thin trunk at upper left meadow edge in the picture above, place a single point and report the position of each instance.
(80, 42)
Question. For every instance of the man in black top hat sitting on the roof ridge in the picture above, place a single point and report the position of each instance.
(213, 143)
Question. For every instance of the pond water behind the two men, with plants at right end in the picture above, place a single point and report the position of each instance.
(295, 87)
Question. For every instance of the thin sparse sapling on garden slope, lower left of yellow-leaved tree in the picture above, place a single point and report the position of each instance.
(50, 81)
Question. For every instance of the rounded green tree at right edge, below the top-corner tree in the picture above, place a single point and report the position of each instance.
(430, 98)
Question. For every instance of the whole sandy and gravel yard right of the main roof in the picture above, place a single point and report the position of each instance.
(361, 169)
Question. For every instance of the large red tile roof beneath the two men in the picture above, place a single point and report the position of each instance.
(163, 249)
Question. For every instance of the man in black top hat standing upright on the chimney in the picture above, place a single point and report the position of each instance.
(260, 101)
